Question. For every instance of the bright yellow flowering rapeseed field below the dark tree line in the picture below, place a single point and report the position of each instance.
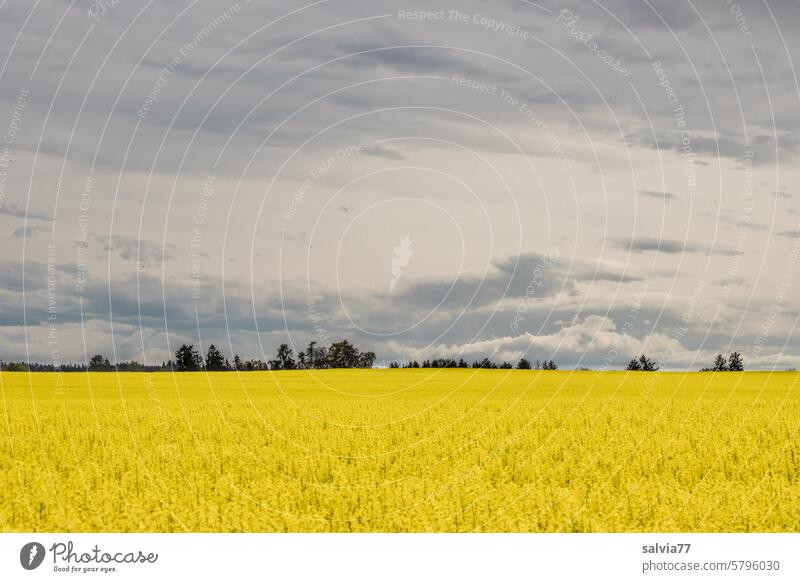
(400, 450)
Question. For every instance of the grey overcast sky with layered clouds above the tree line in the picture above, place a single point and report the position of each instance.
(577, 181)
